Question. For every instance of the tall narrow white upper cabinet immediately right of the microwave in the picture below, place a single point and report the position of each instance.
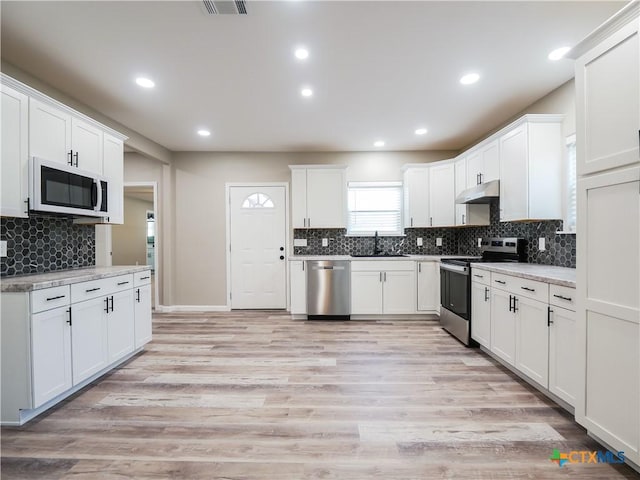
(113, 170)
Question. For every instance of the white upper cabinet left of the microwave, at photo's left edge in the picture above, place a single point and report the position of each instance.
(14, 162)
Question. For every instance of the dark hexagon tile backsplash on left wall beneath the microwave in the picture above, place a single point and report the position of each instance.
(43, 243)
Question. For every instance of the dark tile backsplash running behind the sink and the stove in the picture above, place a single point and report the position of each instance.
(560, 249)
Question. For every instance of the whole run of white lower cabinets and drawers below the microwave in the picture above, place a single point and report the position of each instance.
(55, 340)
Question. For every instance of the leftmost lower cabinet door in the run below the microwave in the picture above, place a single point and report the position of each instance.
(51, 347)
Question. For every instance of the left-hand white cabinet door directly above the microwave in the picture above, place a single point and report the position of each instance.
(49, 132)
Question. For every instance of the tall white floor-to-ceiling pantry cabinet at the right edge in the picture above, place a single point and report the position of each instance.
(608, 232)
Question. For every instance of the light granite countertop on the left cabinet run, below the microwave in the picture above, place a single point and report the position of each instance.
(38, 281)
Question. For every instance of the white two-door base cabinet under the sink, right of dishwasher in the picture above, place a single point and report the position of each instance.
(383, 287)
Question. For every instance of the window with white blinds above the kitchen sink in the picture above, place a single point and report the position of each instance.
(375, 207)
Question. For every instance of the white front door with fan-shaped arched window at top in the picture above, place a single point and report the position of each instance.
(257, 236)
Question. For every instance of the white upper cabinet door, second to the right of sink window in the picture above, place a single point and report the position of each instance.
(442, 195)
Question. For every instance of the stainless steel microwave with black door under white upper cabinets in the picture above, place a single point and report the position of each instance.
(60, 188)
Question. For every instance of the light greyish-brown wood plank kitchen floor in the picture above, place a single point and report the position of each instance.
(257, 395)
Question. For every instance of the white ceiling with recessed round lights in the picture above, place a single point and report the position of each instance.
(379, 69)
